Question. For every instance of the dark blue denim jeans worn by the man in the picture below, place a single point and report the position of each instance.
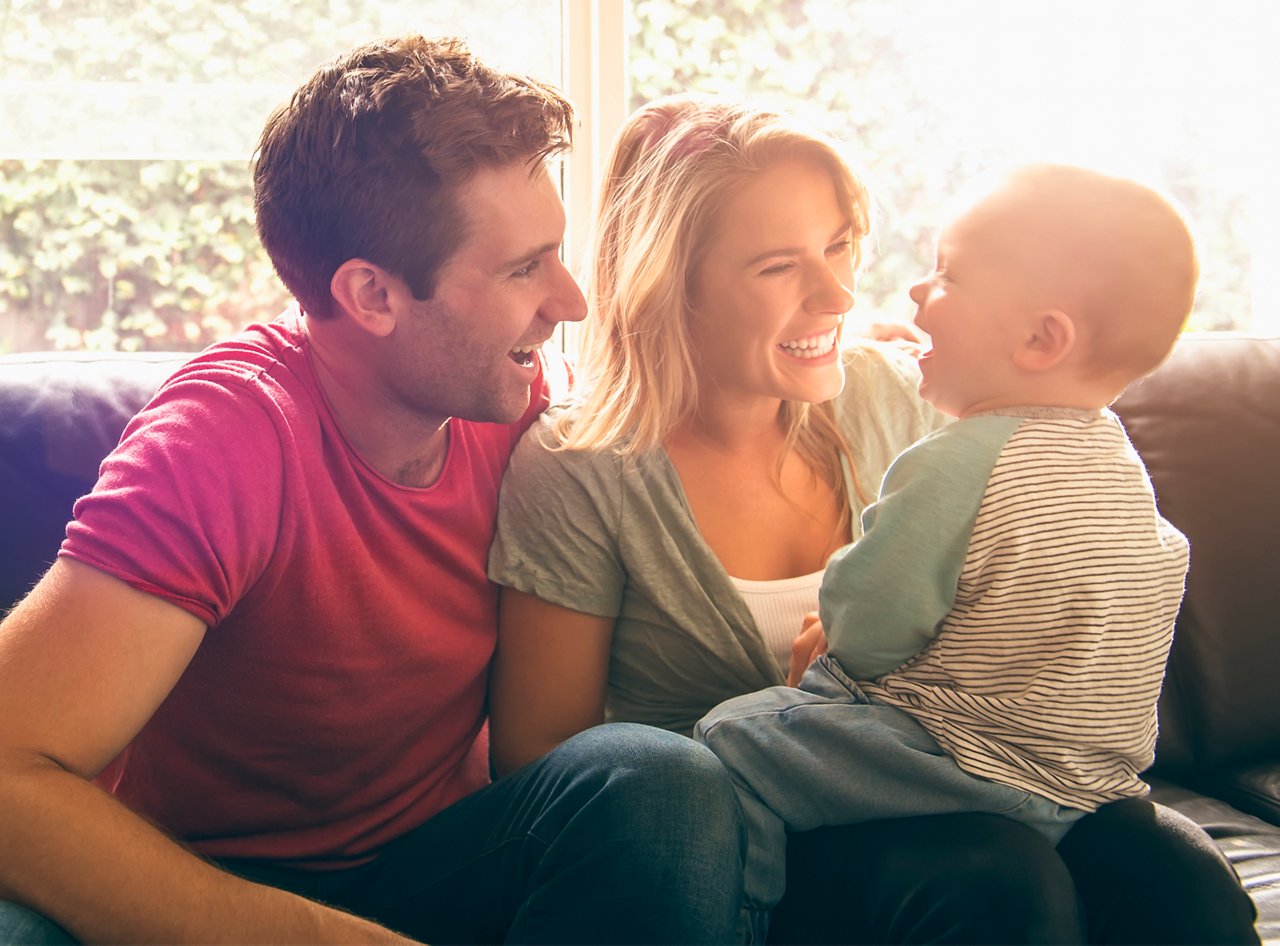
(624, 834)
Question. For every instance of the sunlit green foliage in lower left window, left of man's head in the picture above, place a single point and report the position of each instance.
(129, 255)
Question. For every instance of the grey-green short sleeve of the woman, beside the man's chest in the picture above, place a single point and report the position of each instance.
(557, 534)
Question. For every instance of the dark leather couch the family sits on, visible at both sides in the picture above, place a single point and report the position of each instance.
(1208, 424)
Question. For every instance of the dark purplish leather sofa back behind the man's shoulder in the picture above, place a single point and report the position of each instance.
(60, 415)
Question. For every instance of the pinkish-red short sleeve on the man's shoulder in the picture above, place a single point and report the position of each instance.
(188, 508)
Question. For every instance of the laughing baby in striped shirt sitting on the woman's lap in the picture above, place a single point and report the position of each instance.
(999, 634)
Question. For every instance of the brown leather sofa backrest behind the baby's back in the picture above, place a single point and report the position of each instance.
(1208, 424)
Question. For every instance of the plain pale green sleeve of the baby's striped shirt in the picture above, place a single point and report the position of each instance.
(884, 597)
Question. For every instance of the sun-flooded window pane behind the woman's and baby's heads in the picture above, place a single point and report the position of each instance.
(929, 93)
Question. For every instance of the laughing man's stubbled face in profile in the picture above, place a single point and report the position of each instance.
(470, 350)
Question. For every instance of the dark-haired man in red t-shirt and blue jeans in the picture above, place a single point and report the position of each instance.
(253, 684)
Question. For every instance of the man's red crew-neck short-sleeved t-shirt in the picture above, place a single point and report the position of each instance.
(339, 697)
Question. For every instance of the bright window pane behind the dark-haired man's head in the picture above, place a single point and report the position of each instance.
(126, 209)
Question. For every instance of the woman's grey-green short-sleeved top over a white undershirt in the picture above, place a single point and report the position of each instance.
(596, 533)
